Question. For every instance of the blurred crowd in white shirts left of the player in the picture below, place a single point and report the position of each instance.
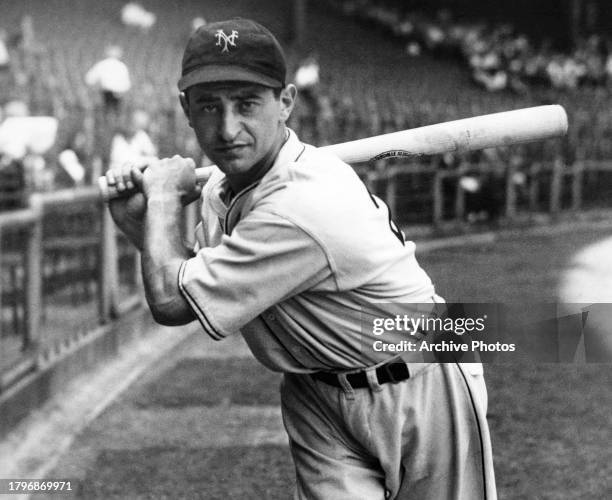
(49, 141)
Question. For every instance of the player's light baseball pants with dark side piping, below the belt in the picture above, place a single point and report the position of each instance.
(424, 438)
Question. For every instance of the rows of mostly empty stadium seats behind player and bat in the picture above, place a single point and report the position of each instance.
(362, 69)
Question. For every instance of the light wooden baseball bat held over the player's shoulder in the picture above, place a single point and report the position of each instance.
(469, 134)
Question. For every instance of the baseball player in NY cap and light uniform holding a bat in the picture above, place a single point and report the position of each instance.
(292, 249)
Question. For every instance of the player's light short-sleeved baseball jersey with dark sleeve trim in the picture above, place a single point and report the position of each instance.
(292, 260)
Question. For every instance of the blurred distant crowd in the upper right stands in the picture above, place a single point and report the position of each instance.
(499, 57)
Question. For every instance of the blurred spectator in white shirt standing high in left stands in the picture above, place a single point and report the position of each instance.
(112, 77)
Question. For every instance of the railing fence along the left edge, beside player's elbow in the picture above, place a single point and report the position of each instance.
(64, 269)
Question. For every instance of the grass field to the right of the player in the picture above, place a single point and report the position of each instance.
(550, 423)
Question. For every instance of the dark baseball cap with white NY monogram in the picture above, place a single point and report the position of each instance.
(234, 50)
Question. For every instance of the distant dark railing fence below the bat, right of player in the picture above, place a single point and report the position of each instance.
(425, 194)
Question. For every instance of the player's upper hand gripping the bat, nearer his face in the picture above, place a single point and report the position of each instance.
(174, 175)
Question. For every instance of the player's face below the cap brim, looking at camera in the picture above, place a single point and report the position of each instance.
(240, 126)
